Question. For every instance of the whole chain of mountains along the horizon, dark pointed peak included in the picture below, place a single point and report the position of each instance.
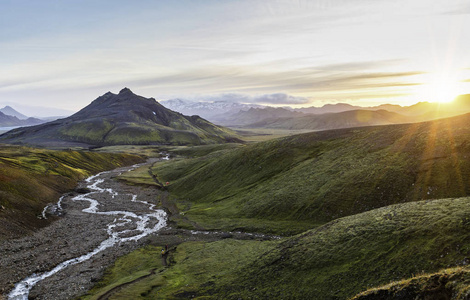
(130, 119)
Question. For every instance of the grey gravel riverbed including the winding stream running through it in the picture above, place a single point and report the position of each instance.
(66, 258)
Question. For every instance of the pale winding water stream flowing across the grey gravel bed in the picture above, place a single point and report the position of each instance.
(126, 227)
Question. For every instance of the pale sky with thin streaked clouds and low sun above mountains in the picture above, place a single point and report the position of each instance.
(64, 54)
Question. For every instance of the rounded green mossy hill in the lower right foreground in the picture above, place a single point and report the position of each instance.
(345, 256)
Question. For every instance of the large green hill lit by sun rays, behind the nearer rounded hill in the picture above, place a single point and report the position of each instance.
(310, 179)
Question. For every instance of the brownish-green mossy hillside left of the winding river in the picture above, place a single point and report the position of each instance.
(31, 178)
